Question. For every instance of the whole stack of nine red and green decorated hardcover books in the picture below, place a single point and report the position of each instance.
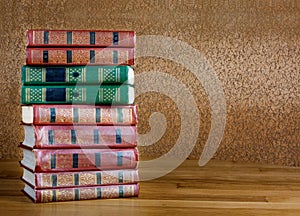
(79, 116)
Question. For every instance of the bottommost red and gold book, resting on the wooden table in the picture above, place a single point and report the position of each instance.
(81, 193)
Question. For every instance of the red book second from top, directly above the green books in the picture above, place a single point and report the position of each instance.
(79, 56)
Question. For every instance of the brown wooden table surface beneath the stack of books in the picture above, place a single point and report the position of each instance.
(219, 188)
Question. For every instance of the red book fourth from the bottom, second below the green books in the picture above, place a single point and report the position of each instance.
(79, 136)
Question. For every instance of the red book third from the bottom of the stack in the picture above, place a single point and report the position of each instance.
(57, 160)
